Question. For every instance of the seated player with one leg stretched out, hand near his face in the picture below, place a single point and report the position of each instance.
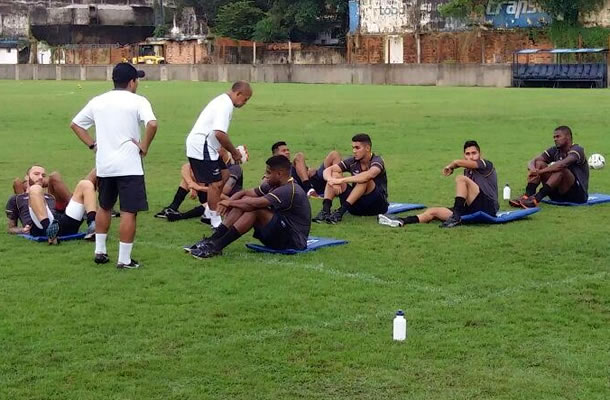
(476, 190)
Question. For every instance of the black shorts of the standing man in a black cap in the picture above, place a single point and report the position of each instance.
(130, 190)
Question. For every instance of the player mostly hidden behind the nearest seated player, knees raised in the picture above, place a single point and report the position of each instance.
(310, 179)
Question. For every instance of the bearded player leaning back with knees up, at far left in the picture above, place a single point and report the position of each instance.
(36, 209)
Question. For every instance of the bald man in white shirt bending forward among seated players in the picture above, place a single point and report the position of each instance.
(208, 135)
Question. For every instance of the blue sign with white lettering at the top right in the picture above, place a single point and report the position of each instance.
(516, 14)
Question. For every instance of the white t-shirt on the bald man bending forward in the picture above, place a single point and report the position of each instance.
(216, 116)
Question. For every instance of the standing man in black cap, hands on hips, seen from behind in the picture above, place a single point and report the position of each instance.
(117, 115)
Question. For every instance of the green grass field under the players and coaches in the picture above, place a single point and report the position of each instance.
(520, 311)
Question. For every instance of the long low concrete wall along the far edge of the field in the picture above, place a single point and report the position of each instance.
(379, 74)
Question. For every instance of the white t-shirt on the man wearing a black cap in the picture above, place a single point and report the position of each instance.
(117, 116)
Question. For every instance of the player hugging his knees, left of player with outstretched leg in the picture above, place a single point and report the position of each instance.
(364, 192)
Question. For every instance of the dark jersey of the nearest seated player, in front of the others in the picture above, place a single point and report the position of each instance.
(292, 204)
